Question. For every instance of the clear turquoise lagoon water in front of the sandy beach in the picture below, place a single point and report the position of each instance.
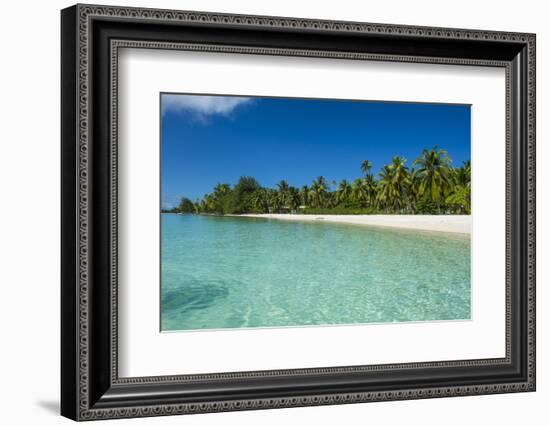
(224, 272)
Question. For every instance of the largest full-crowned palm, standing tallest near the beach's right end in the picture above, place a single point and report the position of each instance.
(434, 174)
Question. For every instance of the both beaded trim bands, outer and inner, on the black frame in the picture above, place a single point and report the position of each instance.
(86, 13)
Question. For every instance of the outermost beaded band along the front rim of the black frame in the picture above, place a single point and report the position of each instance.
(83, 12)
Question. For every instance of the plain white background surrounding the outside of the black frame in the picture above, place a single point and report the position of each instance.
(29, 212)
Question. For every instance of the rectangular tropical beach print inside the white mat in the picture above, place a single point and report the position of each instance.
(283, 212)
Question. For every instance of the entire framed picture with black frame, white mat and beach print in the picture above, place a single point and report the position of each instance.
(263, 212)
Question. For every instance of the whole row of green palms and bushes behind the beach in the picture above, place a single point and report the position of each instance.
(430, 186)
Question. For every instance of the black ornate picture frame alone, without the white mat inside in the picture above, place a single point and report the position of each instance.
(90, 386)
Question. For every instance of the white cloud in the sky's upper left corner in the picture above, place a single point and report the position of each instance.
(201, 105)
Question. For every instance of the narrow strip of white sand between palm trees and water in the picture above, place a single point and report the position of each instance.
(459, 224)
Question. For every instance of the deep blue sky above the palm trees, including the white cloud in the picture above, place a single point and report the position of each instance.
(212, 139)
